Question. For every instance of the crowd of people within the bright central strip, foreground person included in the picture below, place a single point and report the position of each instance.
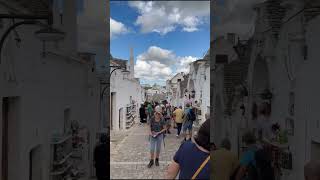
(192, 159)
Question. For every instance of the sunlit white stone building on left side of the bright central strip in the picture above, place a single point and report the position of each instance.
(126, 94)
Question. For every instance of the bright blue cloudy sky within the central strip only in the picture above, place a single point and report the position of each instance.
(165, 36)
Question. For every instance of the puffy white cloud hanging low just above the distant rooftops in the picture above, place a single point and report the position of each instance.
(157, 64)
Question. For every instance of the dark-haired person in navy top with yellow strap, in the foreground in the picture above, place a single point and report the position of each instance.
(192, 160)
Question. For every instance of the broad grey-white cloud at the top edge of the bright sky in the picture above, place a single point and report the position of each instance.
(166, 16)
